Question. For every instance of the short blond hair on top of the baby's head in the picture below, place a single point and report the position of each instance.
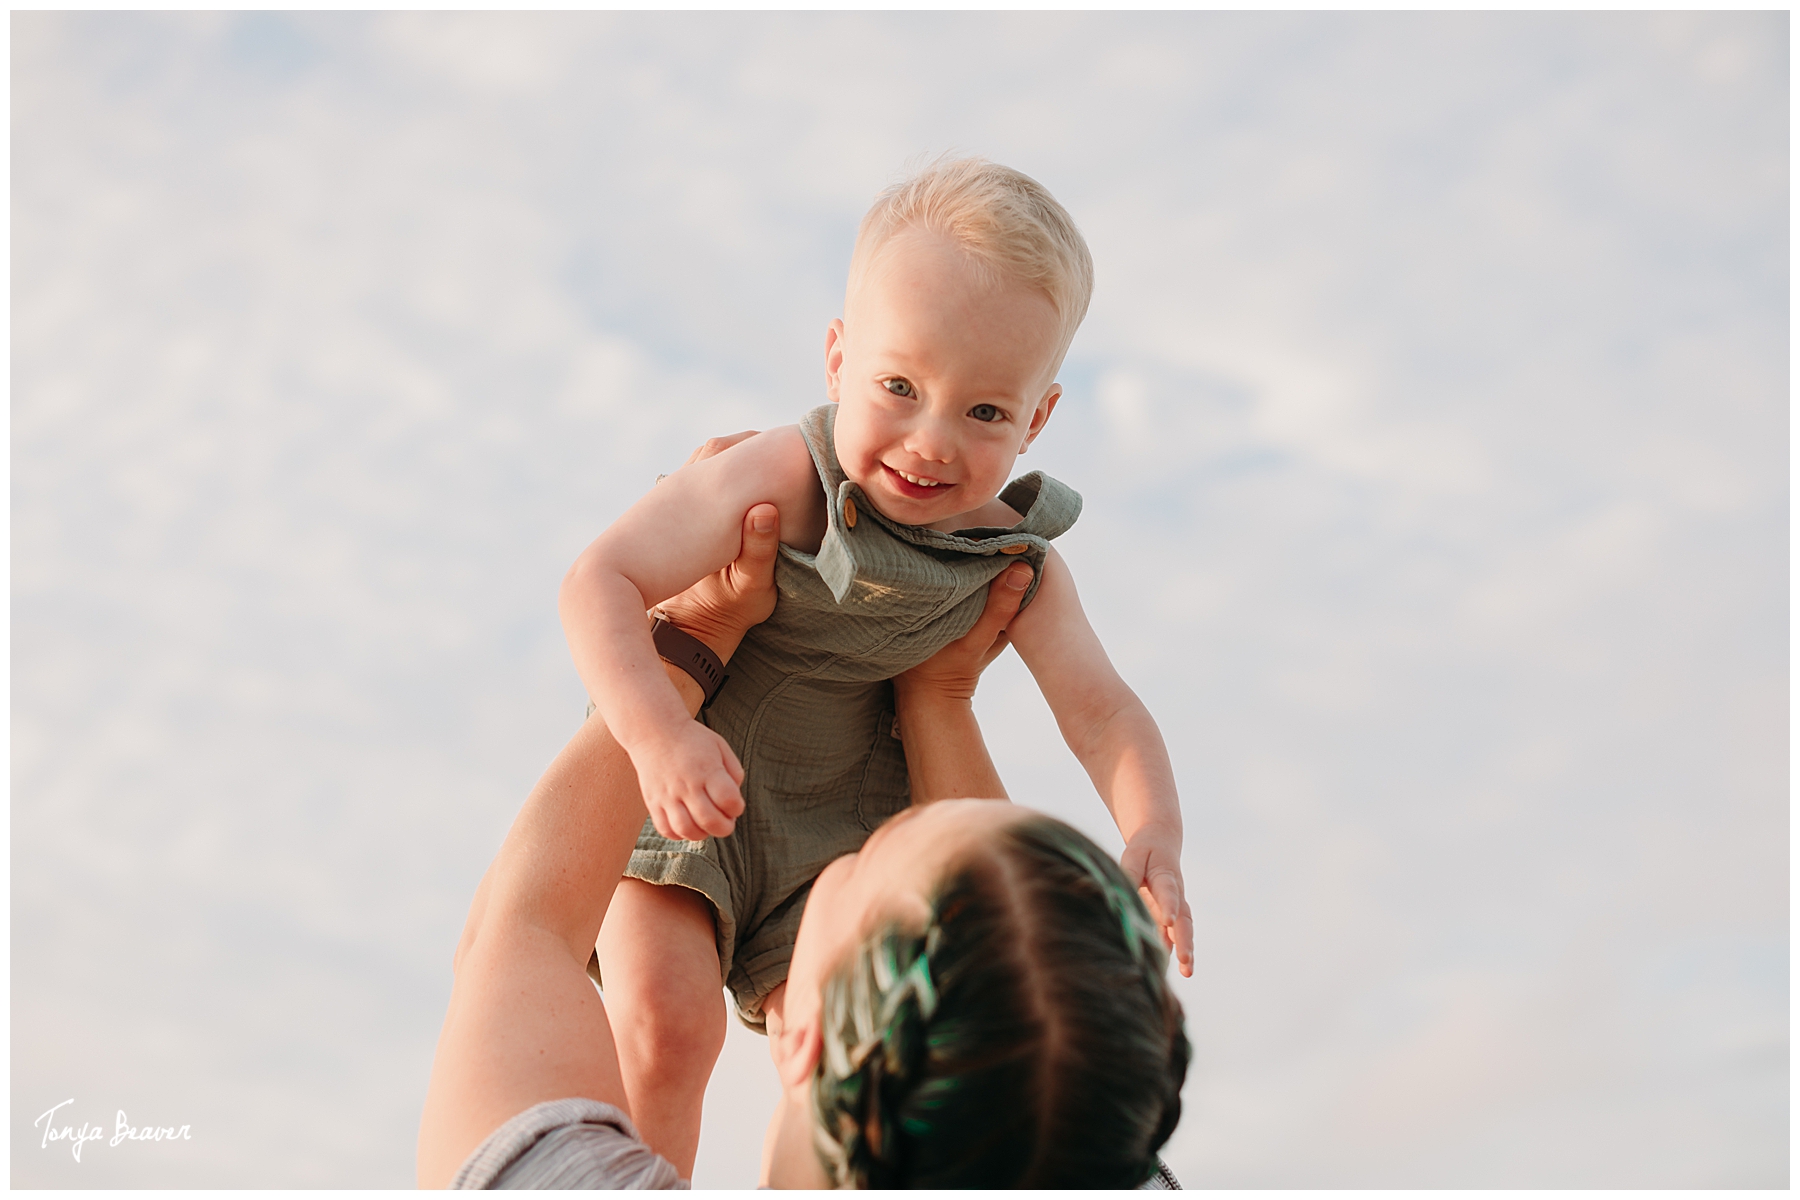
(1005, 222)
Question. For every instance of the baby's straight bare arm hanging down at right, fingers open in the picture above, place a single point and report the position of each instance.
(1115, 739)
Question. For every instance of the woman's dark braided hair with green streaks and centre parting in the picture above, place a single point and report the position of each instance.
(1025, 1039)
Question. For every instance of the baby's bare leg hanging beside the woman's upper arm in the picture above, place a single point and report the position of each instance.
(667, 1007)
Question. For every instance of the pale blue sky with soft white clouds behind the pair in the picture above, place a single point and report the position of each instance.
(1430, 416)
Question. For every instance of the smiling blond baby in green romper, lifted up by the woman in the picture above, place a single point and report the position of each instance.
(966, 291)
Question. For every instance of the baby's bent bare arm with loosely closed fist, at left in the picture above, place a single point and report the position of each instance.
(687, 528)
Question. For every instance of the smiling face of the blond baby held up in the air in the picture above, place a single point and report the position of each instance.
(942, 381)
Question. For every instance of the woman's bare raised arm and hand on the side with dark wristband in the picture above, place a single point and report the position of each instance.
(525, 1023)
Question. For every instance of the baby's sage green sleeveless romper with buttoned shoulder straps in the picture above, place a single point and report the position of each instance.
(809, 706)
